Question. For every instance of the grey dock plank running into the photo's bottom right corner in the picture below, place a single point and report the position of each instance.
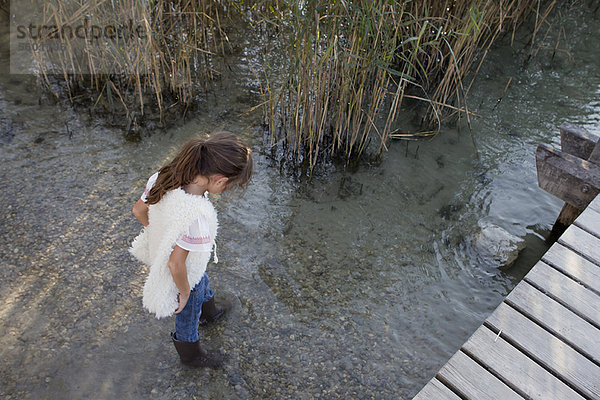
(547, 350)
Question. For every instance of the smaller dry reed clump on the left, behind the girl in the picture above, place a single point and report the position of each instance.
(165, 65)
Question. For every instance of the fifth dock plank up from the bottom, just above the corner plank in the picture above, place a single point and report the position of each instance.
(556, 318)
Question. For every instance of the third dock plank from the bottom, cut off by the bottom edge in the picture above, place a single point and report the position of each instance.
(524, 373)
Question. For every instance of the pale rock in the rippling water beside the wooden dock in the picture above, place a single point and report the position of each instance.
(497, 245)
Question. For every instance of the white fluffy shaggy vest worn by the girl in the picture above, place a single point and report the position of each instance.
(168, 220)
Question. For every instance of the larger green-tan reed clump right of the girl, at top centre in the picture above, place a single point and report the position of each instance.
(352, 65)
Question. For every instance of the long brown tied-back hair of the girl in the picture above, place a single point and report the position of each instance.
(222, 153)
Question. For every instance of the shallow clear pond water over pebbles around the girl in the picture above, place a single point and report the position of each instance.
(355, 286)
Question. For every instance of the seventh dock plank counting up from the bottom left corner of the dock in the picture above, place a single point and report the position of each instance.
(574, 265)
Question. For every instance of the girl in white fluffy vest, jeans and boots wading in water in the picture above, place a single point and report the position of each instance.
(179, 235)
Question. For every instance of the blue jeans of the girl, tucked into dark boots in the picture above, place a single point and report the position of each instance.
(186, 322)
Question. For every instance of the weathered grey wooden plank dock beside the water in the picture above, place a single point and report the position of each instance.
(543, 341)
